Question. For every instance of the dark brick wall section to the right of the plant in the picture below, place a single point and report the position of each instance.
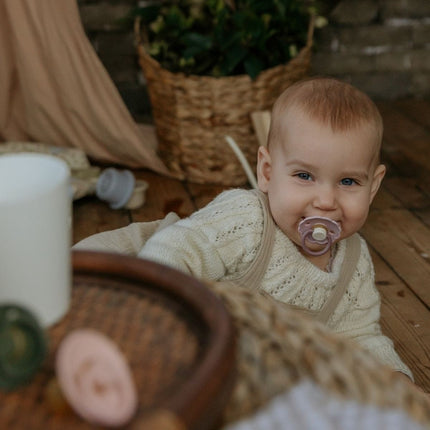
(383, 47)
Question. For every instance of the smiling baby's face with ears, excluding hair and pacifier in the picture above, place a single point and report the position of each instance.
(317, 172)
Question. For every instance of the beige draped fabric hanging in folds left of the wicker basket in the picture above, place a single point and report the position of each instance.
(55, 90)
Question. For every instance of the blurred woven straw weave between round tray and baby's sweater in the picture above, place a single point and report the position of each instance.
(278, 348)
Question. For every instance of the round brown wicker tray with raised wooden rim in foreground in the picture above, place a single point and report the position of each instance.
(176, 334)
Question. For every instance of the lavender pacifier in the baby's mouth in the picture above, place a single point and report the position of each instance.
(319, 230)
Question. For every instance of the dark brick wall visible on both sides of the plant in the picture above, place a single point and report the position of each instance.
(381, 46)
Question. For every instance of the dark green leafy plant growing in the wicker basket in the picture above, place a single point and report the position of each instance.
(224, 37)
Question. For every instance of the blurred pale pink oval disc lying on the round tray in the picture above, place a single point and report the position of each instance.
(95, 378)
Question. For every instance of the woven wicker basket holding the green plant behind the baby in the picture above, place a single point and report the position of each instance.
(192, 115)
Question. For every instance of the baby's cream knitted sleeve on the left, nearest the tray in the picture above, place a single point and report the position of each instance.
(214, 242)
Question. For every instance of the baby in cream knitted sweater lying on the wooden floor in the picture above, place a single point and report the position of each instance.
(321, 168)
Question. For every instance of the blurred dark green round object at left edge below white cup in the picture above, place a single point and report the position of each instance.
(23, 346)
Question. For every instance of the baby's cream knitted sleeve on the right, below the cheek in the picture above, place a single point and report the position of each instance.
(358, 315)
